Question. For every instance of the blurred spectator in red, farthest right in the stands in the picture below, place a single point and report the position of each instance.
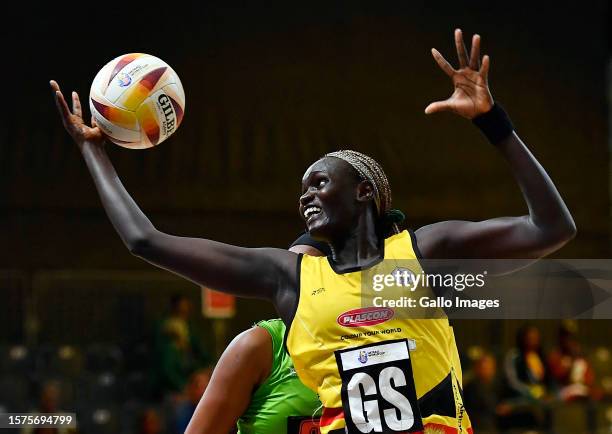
(571, 373)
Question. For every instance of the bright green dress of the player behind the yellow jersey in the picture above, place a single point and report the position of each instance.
(281, 396)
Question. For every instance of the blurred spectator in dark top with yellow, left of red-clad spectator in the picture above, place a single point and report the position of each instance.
(525, 396)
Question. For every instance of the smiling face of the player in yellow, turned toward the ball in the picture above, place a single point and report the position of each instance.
(328, 203)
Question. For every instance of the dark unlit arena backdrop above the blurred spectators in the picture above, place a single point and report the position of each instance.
(269, 89)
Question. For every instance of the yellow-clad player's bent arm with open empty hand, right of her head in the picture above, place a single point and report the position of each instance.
(549, 224)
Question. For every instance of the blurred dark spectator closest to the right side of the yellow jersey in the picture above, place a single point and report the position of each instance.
(482, 394)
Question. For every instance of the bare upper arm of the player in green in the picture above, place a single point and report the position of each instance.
(244, 365)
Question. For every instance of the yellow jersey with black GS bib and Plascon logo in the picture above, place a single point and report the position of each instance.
(375, 368)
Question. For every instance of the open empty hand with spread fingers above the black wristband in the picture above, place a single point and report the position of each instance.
(471, 96)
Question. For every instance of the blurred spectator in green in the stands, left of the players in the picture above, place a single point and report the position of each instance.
(178, 349)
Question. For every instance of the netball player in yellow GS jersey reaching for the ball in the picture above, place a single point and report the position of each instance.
(400, 375)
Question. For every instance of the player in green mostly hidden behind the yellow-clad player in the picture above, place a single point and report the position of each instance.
(254, 386)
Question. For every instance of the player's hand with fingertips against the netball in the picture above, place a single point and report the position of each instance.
(73, 121)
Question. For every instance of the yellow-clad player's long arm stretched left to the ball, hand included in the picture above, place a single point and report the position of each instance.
(241, 271)
